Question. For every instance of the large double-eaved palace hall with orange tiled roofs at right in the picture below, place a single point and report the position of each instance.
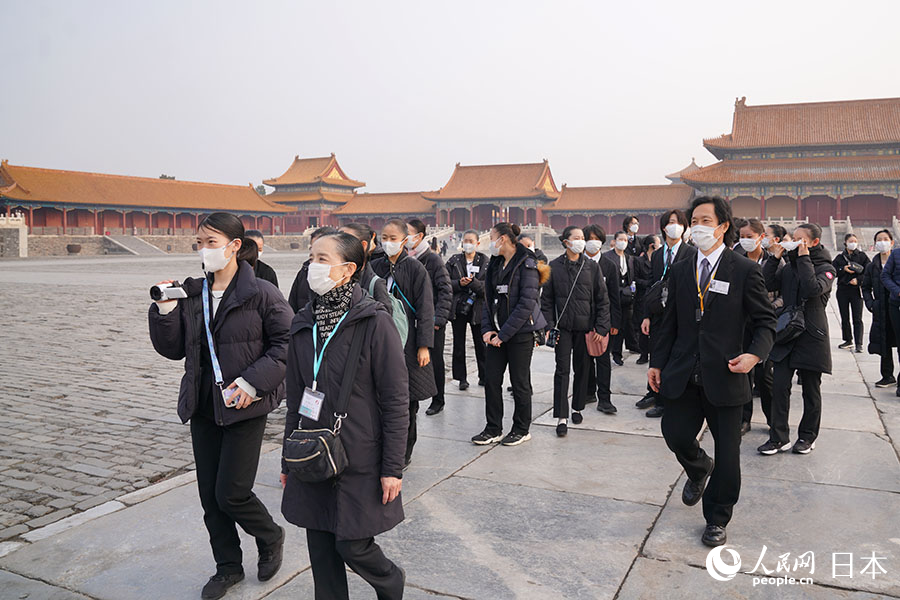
(808, 162)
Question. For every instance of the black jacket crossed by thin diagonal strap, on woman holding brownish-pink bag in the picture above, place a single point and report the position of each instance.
(587, 308)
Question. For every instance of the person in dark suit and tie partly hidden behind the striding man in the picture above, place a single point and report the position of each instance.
(672, 225)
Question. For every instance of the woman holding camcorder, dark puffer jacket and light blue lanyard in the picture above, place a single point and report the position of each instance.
(229, 387)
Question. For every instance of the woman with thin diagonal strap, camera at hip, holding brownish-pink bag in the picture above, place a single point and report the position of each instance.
(575, 306)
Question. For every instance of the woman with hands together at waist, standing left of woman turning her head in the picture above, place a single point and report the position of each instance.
(467, 272)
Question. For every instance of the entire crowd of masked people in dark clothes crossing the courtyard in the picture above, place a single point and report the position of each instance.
(720, 309)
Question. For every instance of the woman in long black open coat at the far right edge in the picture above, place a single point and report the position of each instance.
(881, 335)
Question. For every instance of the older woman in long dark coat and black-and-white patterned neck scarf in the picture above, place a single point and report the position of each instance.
(342, 516)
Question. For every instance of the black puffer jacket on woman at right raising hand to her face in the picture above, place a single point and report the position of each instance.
(808, 278)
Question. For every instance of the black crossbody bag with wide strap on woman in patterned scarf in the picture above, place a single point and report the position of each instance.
(318, 455)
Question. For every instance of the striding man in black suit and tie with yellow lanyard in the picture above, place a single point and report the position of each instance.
(698, 362)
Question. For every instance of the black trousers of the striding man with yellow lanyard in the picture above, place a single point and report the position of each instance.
(681, 423)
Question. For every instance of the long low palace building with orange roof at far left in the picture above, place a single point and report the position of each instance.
(56, 202)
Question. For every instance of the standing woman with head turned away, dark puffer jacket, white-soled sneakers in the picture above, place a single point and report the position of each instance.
(509, 321)
